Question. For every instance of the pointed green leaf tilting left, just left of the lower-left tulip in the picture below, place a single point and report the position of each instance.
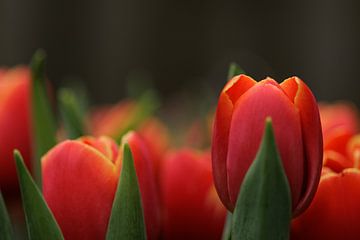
(41, 223)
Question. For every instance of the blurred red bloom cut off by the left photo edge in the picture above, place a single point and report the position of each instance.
(15, 123)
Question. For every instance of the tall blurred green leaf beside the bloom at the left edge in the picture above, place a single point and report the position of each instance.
(44, 125)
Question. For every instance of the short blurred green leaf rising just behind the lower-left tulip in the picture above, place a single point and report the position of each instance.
(71, 113)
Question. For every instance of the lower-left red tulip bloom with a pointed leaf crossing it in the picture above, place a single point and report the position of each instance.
(79, 184)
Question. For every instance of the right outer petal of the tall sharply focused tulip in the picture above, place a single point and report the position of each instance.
(305, 102)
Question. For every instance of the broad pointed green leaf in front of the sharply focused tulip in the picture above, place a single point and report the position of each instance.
(263, 208)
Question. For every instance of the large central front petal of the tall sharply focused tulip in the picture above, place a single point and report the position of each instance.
(265, 99)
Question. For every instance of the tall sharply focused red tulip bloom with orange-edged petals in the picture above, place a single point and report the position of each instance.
(242, 109)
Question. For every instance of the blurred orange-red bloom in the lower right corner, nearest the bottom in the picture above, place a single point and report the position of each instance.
(335, 210)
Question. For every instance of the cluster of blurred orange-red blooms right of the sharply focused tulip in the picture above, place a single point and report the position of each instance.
(335, 211)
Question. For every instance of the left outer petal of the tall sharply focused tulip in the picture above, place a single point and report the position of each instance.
(228, 97)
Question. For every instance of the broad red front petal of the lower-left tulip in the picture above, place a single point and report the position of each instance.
(79, 186)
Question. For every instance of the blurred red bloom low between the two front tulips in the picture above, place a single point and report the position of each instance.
(192, 209)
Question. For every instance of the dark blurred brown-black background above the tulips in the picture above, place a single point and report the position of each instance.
(183, 48)
